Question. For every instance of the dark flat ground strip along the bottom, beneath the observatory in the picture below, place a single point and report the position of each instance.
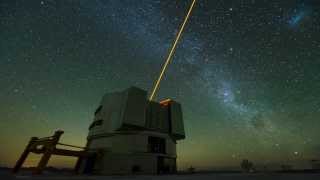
(201, 176)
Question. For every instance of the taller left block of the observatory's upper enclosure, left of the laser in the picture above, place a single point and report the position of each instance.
(119, 109)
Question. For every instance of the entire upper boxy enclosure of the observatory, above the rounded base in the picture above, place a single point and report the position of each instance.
(131, 109)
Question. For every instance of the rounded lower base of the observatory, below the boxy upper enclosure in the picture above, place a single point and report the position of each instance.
(130, 154)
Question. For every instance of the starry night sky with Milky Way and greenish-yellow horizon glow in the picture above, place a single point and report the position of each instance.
(247, 73)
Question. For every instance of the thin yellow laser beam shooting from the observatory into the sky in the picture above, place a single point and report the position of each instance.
(156, 86)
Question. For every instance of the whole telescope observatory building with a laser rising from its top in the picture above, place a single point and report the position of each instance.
(130, 134)
